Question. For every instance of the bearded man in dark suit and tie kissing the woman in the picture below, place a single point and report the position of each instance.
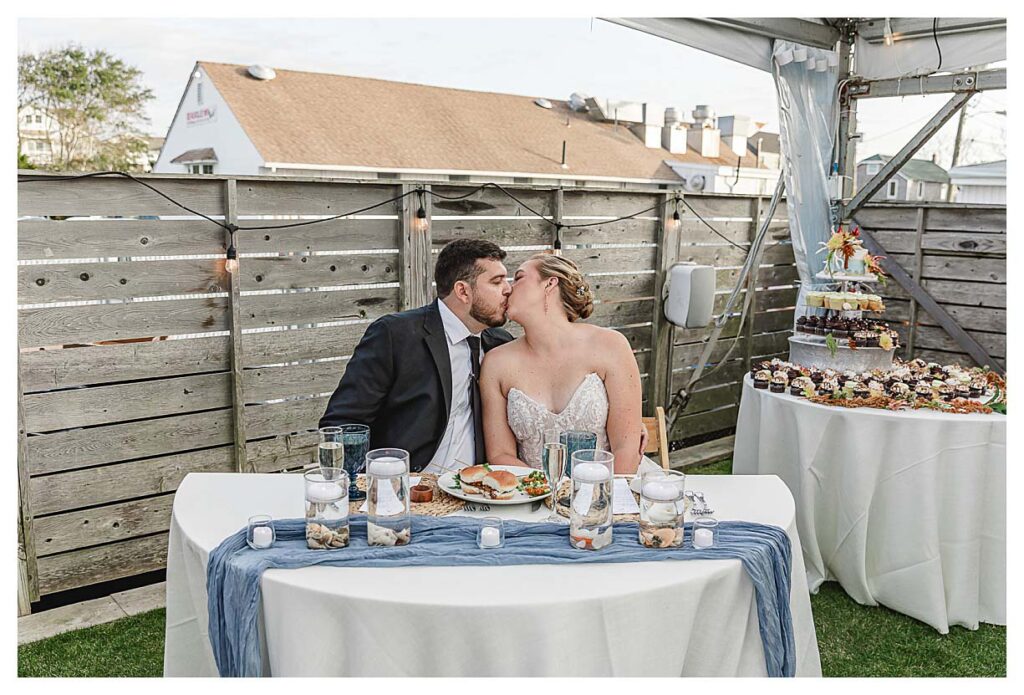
(413, 378)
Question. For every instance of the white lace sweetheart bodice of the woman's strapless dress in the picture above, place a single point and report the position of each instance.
(587, 411)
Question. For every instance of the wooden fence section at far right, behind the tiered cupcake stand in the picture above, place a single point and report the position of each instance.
(959, 254)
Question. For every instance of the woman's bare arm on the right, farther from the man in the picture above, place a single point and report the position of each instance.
(625, 404)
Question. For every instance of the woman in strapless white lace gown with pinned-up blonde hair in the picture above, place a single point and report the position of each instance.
(562, 375)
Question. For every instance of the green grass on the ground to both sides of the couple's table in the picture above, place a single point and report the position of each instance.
(855, 641)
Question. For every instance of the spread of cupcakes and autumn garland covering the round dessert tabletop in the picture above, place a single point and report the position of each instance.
(907, 386)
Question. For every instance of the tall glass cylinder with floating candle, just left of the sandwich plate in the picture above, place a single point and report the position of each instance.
(389, 522)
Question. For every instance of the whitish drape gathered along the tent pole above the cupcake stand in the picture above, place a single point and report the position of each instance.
(807, 112)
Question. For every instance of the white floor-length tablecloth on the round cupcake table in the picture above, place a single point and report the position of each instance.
(905, 509)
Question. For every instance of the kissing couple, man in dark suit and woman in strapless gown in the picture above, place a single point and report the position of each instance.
(447, 383)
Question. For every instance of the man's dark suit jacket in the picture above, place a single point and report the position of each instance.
(399, 382)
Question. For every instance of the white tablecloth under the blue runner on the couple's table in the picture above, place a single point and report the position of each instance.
(657, 619)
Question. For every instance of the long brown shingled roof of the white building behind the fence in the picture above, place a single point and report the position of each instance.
(334, 120)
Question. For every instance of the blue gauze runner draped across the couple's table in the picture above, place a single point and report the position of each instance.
(234, 572)
